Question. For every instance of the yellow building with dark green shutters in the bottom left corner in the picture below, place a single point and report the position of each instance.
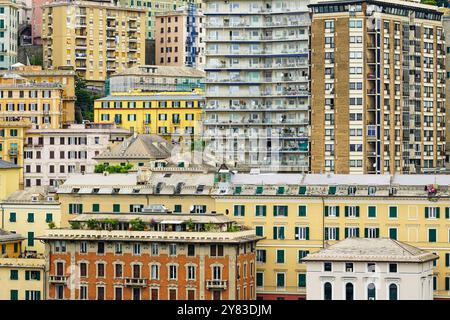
(22, 276)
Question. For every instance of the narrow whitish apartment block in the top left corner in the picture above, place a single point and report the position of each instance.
(9, 31)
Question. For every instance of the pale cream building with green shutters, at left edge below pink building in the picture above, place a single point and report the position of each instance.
(30, 212)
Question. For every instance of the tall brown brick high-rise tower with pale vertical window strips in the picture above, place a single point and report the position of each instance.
(378, 87)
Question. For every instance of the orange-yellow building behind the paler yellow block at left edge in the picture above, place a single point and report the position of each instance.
(65, 78)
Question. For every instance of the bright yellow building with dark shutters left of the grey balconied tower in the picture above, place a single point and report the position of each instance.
(167, 114)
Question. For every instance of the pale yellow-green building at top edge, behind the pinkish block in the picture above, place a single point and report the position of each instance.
(153, 7)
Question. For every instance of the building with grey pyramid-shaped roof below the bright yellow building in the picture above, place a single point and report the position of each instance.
(138, 150)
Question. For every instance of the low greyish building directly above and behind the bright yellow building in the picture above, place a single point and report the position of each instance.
(157, 79)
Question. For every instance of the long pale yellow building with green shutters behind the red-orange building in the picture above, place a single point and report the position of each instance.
(297, 213)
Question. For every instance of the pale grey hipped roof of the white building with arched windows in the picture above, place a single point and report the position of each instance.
(375, 250)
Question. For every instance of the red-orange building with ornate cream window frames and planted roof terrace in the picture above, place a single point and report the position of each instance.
(152, 256)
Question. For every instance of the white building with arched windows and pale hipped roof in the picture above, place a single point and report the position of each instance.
(370, 269)
